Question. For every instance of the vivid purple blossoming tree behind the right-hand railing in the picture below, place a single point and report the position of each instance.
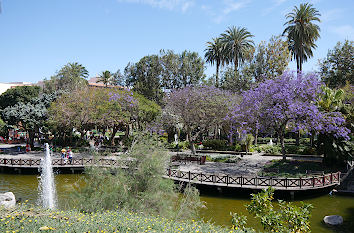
(288, 102)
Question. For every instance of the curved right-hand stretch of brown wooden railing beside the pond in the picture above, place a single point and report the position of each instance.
(244, 181)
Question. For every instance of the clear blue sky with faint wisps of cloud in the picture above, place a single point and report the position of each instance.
(38, 37)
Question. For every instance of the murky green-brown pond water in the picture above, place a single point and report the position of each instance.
(217, 209)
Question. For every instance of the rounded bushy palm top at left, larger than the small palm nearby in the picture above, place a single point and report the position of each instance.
(70, 77)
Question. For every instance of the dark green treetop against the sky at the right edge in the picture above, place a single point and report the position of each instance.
(338, 67)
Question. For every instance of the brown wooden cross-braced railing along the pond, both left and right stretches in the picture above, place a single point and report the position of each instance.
(217, 180)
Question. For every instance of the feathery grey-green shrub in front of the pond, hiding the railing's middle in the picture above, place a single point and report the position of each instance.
(140, 187)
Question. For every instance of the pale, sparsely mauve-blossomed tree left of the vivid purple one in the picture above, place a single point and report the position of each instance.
(198, 109)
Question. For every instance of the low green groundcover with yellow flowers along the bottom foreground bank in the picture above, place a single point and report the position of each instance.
(25, 218)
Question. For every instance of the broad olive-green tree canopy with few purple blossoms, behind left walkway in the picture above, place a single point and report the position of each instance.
(112, 108)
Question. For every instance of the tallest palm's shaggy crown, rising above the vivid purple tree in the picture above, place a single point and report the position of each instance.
(302, 32)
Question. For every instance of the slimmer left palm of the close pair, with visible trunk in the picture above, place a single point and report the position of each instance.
(214, 53)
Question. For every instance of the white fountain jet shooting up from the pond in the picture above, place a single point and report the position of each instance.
(46, 186)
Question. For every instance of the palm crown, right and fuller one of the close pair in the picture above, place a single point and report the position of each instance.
(237, 43)
